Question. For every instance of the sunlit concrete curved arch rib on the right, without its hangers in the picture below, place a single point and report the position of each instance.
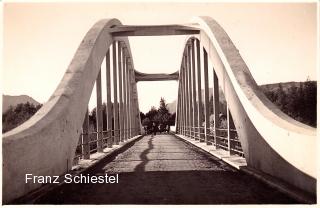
(272, 141)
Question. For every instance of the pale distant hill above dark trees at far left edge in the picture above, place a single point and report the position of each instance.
(8, 100)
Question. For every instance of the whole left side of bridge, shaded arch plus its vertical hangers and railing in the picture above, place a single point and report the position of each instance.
(46, 144)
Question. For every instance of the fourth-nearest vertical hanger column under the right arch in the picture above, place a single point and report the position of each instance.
(199, 91)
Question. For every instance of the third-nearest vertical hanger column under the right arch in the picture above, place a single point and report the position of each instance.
(206, 95)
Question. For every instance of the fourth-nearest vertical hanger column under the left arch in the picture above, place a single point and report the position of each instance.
(115, 96)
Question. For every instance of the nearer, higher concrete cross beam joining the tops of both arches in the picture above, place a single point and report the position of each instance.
(153, 30)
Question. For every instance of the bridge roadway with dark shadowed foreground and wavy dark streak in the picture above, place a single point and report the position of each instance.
(162, 169)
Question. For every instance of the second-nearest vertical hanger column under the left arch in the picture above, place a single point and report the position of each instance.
(99, 114)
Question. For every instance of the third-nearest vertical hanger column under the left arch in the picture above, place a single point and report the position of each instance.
(108, 104)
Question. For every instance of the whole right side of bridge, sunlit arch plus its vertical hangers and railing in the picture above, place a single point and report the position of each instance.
(270, 141)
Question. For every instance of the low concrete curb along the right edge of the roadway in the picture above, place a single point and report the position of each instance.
(293, 192)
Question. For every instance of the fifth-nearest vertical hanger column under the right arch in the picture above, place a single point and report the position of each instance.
(194, 101)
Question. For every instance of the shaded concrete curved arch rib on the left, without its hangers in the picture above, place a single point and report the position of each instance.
(45, 144)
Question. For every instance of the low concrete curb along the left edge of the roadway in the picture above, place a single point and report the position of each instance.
(34, 195)
